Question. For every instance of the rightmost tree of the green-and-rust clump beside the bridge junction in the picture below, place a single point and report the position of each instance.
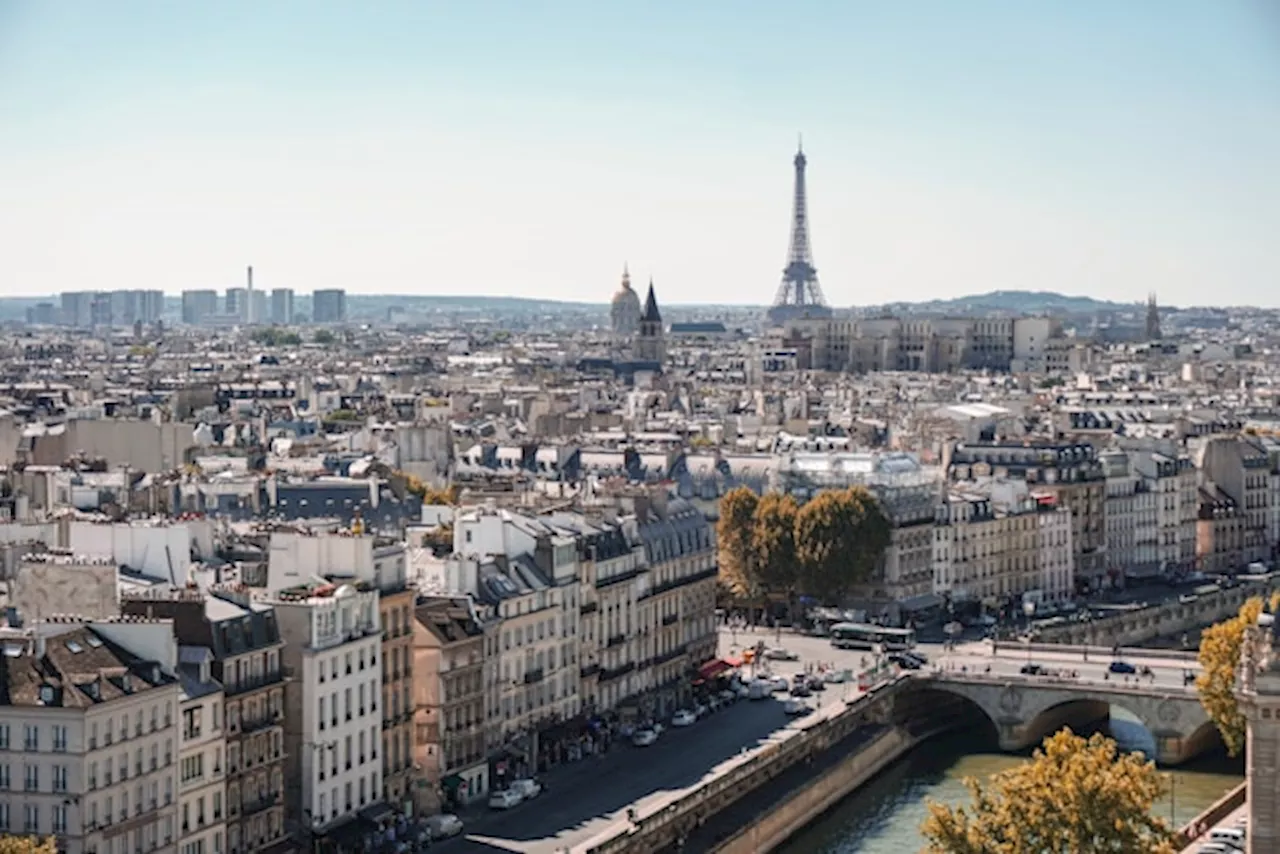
(840, 537)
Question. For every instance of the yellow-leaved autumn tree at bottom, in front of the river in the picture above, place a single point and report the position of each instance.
(1076, 796)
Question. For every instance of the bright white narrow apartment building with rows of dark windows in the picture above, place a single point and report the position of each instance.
(333, 723)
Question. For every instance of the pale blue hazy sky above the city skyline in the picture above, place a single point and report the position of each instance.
(533, 148)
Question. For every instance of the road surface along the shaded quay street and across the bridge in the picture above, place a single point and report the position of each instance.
(584, 800)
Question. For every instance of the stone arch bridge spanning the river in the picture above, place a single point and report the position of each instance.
(1027, 709)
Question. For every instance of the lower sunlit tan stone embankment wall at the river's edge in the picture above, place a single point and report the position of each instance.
(801, 807)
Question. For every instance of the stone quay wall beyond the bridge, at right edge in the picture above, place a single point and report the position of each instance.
(1172, 619)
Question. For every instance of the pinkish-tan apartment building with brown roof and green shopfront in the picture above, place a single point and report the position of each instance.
(451, 745)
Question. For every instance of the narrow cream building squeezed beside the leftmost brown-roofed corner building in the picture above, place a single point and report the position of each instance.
(202, 756)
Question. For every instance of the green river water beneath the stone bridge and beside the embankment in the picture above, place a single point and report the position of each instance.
(885, 816)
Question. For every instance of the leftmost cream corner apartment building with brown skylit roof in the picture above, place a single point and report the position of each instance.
(88, 742)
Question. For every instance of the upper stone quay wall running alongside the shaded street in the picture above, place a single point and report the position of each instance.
(660, 826)
